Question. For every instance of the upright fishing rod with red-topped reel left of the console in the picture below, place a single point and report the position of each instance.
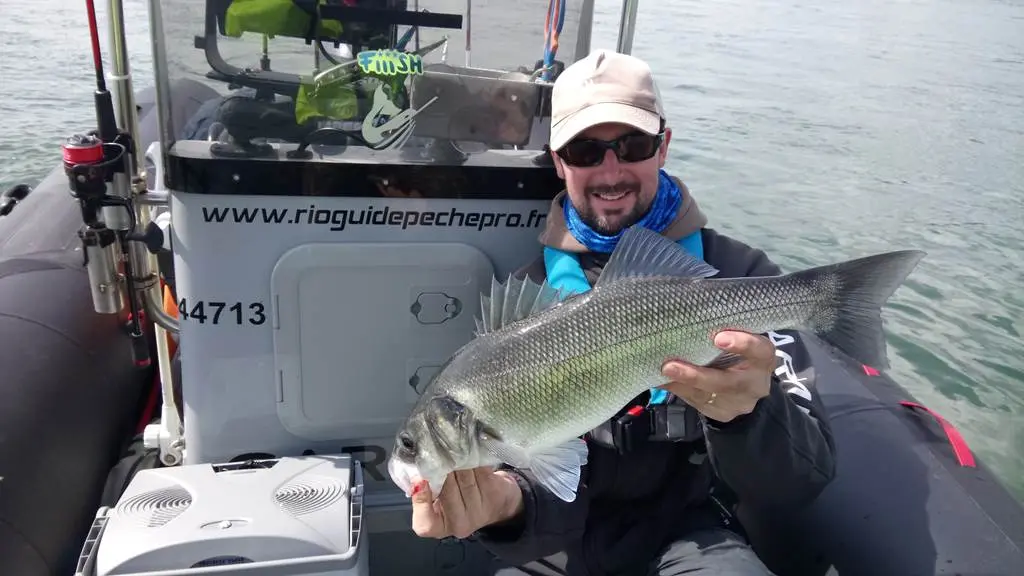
(101, 167)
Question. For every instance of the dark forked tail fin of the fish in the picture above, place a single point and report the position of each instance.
(850, 316)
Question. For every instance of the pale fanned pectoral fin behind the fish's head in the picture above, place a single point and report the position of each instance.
(557, 469)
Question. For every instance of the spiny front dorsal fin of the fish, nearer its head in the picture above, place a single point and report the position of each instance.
(514, 301)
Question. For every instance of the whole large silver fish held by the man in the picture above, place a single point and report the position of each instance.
(543, 372)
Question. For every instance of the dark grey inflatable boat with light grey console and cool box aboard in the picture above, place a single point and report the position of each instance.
(219, 309)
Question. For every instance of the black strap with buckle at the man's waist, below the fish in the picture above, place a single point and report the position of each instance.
(660, 423)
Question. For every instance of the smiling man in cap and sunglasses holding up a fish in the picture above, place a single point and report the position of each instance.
(659, 501)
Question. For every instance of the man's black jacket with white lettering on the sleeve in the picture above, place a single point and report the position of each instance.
(631, 506)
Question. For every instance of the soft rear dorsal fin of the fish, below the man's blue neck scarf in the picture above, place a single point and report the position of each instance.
(643, 253)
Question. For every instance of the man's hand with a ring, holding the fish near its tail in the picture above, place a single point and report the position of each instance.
(726, 394)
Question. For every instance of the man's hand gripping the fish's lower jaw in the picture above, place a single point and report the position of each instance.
(470, 501)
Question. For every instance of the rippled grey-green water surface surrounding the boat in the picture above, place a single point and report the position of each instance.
(816, 130)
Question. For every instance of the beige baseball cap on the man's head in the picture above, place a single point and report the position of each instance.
(607, 87)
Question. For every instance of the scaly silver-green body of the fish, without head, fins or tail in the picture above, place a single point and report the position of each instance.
(610, 348)
